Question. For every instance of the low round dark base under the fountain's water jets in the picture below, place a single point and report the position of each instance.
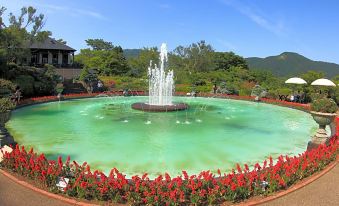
(159, 108)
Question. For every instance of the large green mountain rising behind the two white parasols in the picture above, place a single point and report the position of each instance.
(292, 64)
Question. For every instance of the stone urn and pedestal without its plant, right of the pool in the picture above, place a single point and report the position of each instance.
(321, 137)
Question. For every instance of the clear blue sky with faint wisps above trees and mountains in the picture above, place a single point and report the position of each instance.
(247, 27)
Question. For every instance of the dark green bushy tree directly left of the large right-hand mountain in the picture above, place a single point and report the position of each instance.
(226, 60)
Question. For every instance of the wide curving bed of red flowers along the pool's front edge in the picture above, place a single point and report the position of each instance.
(202, 189)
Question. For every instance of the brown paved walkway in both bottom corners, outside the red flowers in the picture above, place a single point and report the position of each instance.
(323, 191)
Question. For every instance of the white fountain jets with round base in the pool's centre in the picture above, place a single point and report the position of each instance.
(161, 87)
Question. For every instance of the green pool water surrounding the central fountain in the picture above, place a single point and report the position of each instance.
(213, 134)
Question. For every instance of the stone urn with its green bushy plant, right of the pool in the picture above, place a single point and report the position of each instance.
(323, 112)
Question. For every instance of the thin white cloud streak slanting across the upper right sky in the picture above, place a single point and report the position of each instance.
(277, 27)
